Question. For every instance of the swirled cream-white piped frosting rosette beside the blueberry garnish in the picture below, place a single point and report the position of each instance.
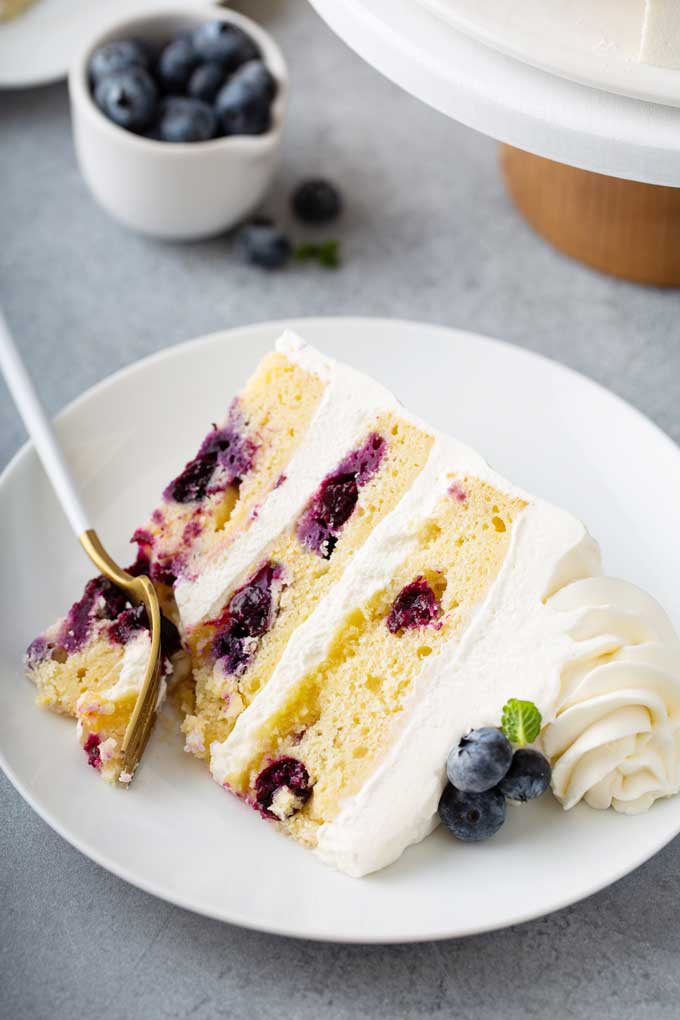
(615, 741)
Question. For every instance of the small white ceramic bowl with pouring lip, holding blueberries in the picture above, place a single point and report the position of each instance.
(179, 192)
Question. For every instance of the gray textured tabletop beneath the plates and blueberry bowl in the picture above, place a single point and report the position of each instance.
(429, 235)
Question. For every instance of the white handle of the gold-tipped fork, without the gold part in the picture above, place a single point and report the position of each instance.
(40, 431)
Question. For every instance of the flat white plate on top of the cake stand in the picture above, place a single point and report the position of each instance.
(594, 42)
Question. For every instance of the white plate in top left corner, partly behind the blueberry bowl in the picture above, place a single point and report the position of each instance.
(38, 46)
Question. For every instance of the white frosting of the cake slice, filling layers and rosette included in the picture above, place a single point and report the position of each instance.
(541, 635)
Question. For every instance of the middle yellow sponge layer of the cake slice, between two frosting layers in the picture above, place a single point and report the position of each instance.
(220, 699)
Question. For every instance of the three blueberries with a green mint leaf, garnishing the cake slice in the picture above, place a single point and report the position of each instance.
(484, 773)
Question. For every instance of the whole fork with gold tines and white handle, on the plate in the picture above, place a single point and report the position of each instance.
(140, 590)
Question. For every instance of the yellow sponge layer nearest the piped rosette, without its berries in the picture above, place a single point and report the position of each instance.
(340, 719)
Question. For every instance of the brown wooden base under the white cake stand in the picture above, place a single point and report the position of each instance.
(623, 228)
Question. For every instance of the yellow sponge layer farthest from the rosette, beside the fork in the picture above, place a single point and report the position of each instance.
(277, 406)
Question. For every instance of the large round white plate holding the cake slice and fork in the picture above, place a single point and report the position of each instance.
(176, 834)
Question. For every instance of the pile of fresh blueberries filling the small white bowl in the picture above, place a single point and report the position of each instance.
(206, 84)
